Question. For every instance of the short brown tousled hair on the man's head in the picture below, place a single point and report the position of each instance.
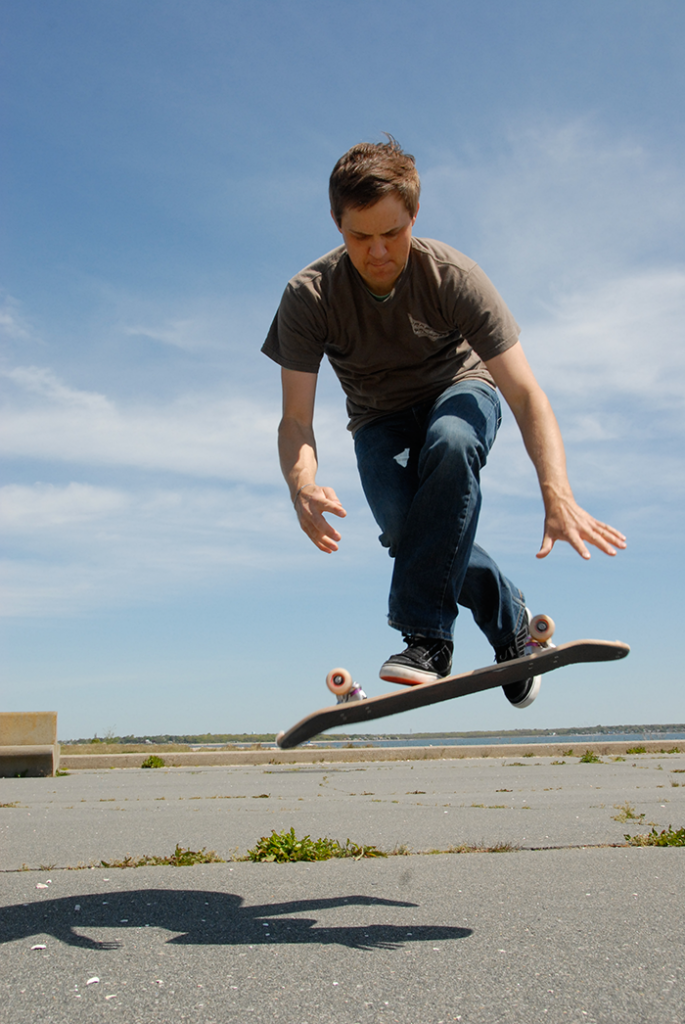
(371, 170)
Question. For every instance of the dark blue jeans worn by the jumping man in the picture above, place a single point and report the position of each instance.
(420, 472)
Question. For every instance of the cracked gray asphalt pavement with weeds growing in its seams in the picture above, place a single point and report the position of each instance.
(565, 927)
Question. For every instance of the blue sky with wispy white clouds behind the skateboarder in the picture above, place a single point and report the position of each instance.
(167, 175)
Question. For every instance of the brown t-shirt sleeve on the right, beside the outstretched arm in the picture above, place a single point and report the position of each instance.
(483, 316)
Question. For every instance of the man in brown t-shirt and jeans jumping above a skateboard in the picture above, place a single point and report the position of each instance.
(420, 340)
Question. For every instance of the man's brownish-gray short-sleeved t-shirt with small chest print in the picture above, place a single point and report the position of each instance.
(441, 322)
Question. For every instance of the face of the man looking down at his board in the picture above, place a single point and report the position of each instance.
(378, 240)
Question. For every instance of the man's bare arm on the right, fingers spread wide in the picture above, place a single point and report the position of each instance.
(565, 520)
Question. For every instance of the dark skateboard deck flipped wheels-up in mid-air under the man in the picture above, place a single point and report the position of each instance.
(546, 660)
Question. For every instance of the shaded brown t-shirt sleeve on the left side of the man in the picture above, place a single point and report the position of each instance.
(297, 336)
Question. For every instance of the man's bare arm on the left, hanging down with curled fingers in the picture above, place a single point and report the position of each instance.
(297, 452)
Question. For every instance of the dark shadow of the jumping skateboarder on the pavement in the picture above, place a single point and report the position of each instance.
(210, 918)
